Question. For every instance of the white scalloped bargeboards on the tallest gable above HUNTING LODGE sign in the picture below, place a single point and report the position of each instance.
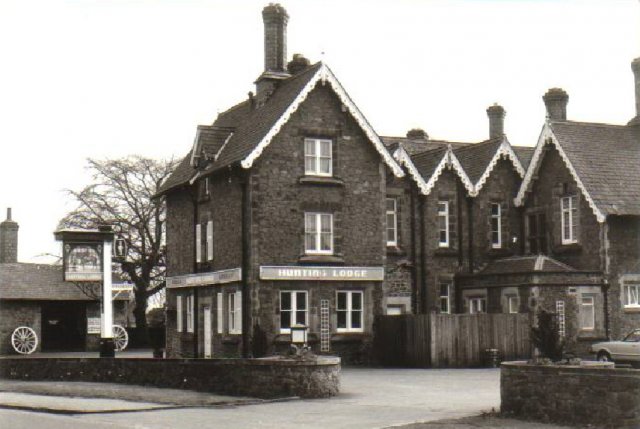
(325, 76)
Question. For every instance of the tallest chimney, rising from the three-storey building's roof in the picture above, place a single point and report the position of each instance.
(275, 19)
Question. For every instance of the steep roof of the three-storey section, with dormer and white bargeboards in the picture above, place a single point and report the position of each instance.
(251, 130)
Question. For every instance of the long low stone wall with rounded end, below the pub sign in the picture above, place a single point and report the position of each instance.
(260, 378)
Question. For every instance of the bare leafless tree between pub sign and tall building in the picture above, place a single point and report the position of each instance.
(121, 195)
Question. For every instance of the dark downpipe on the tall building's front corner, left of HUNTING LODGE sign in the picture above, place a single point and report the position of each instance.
(246, 262)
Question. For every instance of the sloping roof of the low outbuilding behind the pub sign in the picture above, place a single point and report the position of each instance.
(38, 282)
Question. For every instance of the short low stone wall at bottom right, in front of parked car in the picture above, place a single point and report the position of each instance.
(571, 394)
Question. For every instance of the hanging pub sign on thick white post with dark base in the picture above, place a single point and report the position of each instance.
(87, 258)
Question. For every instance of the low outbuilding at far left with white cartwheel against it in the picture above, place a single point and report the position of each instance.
(62, 314)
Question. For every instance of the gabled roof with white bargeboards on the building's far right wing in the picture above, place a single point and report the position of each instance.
(603, 159)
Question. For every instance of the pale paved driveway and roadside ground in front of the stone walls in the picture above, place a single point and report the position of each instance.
(369, 398)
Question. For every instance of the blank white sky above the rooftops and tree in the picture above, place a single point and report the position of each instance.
(105, 78)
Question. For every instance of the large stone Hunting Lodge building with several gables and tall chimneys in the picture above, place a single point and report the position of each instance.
(290, 209)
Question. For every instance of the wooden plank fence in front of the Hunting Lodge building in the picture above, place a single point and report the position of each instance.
(450, 340)
